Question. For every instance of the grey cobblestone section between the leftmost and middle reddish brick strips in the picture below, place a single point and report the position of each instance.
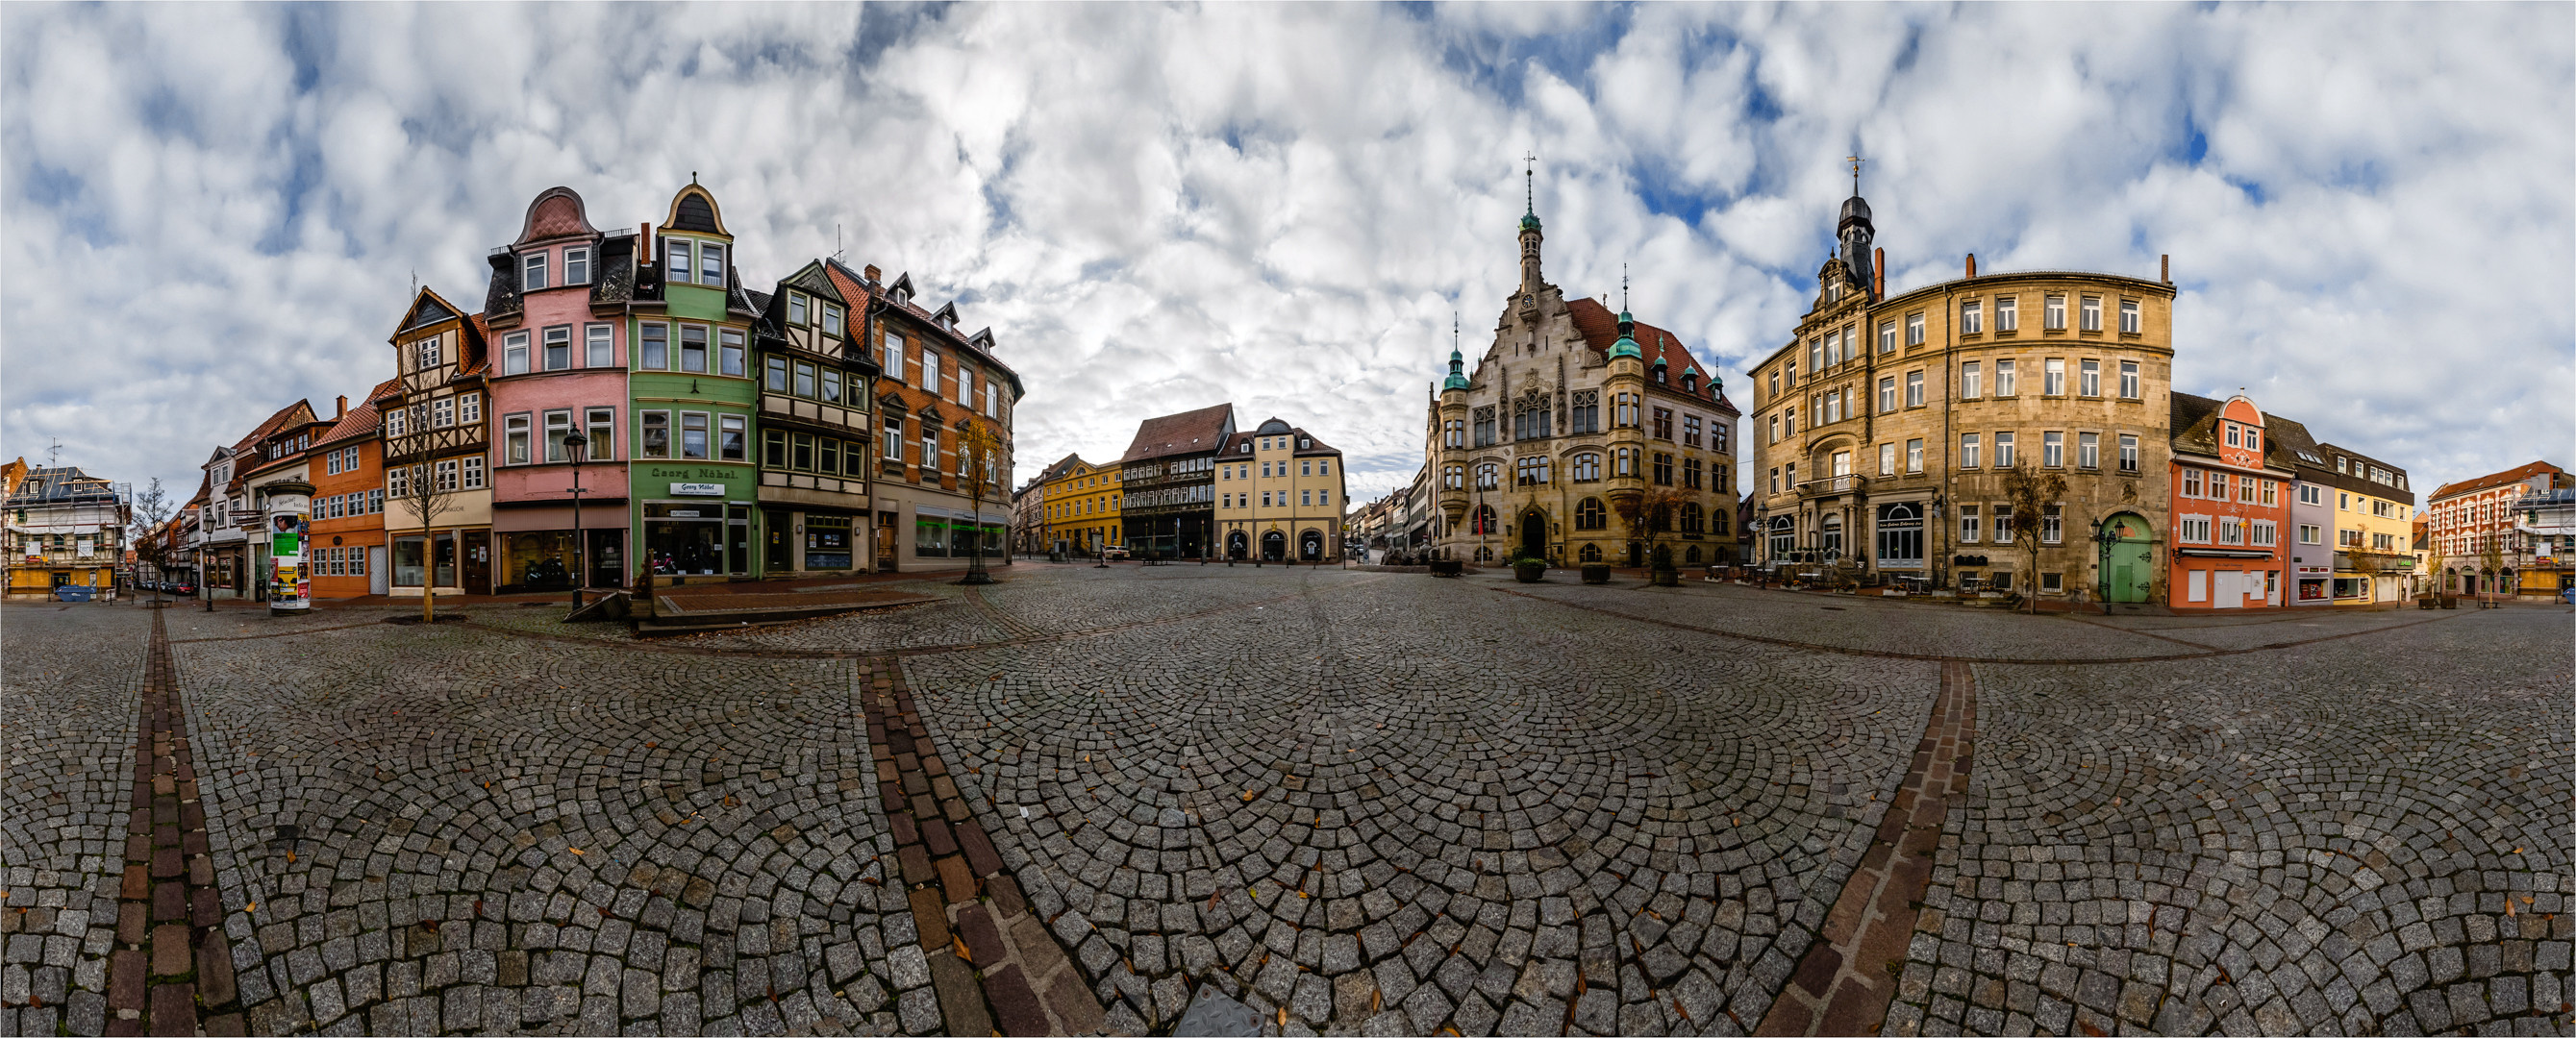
(498, 836)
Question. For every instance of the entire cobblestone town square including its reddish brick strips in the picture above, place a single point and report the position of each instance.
(1359, 802)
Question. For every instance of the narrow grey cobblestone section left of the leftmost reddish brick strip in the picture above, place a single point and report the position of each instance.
(68, 707)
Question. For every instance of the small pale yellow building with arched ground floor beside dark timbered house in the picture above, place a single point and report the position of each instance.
(1279, 496)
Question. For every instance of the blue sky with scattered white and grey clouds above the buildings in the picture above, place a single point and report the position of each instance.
(213, 212)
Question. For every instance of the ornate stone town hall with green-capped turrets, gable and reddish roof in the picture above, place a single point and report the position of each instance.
(1573, 419)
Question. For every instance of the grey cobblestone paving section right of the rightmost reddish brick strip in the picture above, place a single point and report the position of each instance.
(2366, 836)
